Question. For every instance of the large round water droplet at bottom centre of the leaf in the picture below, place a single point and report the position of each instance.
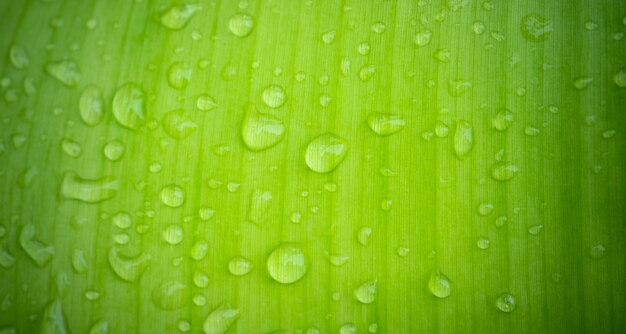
(287, 263)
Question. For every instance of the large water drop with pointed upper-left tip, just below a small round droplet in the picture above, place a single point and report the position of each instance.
(261, 131)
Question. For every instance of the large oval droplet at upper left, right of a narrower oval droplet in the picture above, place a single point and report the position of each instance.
(129, 106)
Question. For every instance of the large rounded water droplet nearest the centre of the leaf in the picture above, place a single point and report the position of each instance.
(325, 153)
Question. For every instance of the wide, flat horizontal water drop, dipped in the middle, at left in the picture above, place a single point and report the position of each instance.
(88, 190)
